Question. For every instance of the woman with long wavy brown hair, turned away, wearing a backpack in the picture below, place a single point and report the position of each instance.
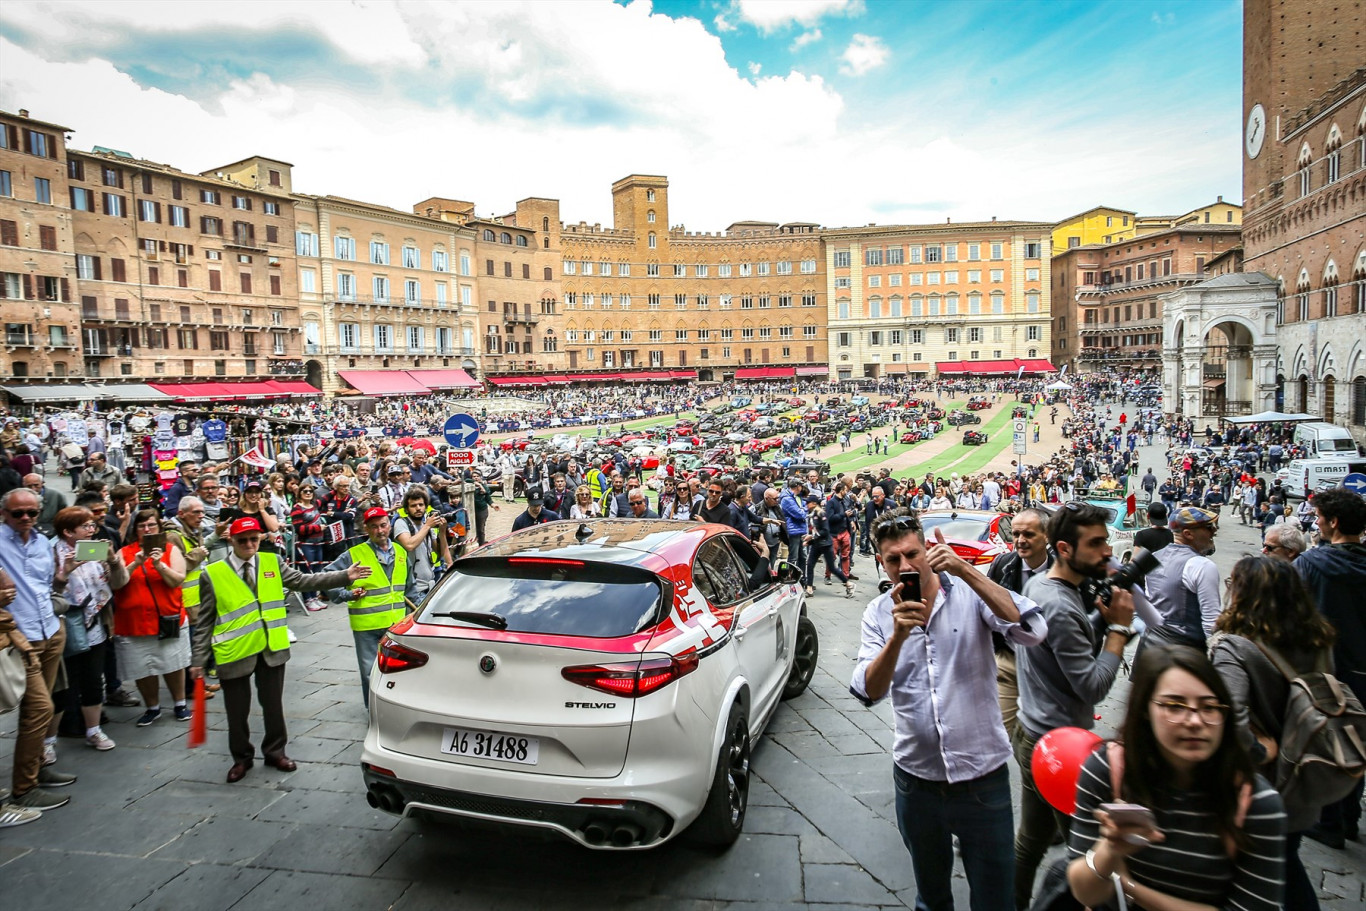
(1271, 611)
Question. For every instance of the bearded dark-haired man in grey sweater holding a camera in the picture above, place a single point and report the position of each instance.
(1063, 678)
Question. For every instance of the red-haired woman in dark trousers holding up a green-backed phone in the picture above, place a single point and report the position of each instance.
(91, 587)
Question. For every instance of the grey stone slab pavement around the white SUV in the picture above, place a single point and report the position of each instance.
(154, 826)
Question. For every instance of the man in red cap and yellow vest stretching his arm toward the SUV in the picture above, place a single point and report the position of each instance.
(242, 622)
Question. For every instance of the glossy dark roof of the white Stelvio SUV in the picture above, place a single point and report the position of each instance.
(651, 544)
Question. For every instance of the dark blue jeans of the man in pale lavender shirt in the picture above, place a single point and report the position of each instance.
(979, 812)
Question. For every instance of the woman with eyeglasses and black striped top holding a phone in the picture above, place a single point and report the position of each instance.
(1218, 830)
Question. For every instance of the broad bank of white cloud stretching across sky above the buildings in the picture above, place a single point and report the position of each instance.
(501, 102)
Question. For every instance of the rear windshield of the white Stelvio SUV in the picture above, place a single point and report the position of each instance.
(588, 600)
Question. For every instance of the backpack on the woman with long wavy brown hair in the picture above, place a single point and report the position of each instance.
(1322, 753)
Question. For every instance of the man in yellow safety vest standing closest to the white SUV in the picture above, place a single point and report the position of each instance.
(378, 602)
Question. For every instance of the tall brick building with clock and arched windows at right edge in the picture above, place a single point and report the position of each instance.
(1305, 196)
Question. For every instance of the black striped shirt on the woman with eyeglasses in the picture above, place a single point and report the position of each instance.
(1193, 864)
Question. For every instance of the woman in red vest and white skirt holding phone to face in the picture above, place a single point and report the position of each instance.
(151, 626)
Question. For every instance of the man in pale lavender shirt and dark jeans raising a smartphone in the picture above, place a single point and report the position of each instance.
(934, 656)
